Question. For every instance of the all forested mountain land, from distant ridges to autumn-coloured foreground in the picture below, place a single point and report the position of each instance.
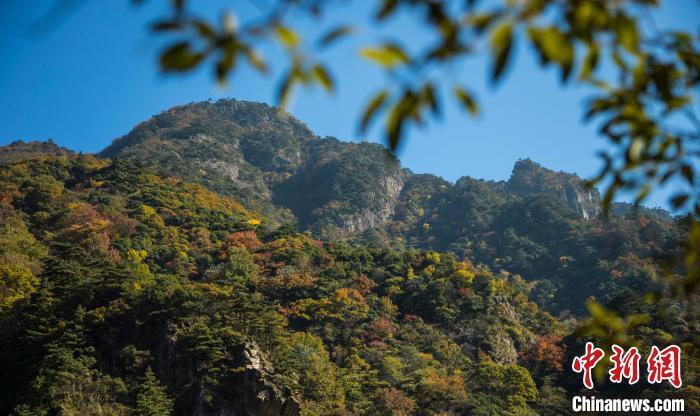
(221, 259)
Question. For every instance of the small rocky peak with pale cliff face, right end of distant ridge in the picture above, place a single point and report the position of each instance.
(529, 178)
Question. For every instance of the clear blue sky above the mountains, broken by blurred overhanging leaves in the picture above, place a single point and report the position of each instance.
(89, 76)
